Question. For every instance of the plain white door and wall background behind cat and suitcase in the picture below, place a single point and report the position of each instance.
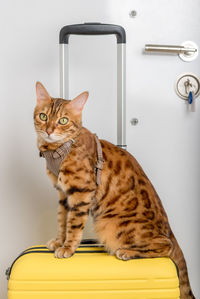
(165, 142)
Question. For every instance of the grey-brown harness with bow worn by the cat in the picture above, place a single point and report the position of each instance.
(55, 158)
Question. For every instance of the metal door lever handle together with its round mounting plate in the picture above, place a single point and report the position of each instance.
(187, 51)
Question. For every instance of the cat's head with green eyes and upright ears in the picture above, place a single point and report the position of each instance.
(57, 120)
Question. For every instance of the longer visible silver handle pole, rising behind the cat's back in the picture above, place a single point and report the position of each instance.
(121, 95)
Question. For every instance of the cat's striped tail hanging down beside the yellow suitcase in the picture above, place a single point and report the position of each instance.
(178, 257)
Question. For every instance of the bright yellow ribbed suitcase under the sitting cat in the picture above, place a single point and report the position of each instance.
(90, 273)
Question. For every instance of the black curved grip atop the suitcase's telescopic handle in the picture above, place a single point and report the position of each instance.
(92, 29)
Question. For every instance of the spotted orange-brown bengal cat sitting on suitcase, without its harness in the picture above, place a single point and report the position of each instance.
(129, 218)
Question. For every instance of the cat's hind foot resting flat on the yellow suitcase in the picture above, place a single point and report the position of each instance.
(159, 246)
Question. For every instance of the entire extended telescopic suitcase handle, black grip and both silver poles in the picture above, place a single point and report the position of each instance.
(98, 29)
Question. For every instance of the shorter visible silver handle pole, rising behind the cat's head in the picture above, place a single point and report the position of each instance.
(64, 71)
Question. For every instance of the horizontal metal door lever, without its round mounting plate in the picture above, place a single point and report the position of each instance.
(169, 49)
